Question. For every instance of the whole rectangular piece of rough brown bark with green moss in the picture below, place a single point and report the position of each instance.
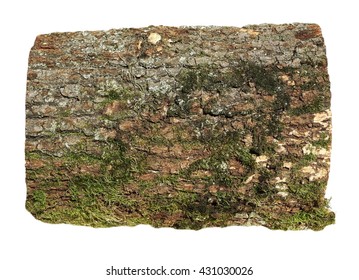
(180, 127)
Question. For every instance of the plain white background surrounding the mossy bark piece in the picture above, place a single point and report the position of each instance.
(31, 249)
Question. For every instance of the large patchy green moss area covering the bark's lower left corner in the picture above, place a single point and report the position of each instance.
(92, 198)
